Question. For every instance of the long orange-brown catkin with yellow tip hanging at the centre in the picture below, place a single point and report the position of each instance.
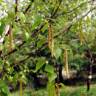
(50, 39)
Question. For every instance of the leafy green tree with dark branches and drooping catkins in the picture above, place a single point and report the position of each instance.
(39, 31)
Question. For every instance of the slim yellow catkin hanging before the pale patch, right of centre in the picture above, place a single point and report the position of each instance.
(66, 62)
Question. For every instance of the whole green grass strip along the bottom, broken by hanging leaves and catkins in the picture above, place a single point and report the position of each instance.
(65, 91)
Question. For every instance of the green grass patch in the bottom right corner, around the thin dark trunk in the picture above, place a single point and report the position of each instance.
(78, 91)
